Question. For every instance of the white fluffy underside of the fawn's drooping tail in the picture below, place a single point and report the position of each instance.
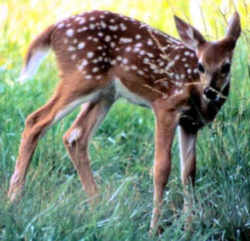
(33, 64)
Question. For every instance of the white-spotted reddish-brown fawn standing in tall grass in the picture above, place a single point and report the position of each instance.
(103, 56)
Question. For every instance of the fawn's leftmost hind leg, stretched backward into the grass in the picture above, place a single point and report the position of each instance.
(36, 125)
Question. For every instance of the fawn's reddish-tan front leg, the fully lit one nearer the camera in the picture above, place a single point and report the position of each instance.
(166, 122)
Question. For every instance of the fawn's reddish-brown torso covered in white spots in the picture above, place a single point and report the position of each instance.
(103, 47)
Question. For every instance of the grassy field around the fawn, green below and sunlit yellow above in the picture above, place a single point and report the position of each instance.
(54, 207)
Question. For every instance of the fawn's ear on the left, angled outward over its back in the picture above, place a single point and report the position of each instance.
(189, 35)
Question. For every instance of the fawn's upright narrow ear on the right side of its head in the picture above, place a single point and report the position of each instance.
(234, 29)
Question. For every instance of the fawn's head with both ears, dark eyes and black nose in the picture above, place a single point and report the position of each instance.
(214, 58)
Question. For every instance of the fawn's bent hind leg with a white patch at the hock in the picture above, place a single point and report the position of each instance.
(77, 139)
